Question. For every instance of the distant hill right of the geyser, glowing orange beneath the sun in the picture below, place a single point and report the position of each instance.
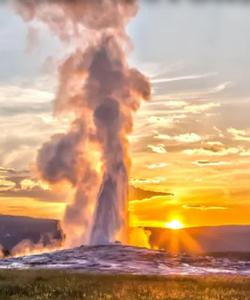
(231, 238)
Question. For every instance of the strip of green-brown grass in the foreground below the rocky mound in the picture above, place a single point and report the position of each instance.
(65, 285)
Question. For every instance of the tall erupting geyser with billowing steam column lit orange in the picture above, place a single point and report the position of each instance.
(97, 85)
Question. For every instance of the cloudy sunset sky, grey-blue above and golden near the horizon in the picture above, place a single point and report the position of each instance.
(190, 147)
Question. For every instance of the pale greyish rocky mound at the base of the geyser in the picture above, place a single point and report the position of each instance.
(128, 260)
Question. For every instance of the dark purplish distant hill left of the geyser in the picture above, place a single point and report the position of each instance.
(14, 229)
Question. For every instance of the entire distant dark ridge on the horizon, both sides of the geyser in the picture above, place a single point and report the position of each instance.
(229, 238)
